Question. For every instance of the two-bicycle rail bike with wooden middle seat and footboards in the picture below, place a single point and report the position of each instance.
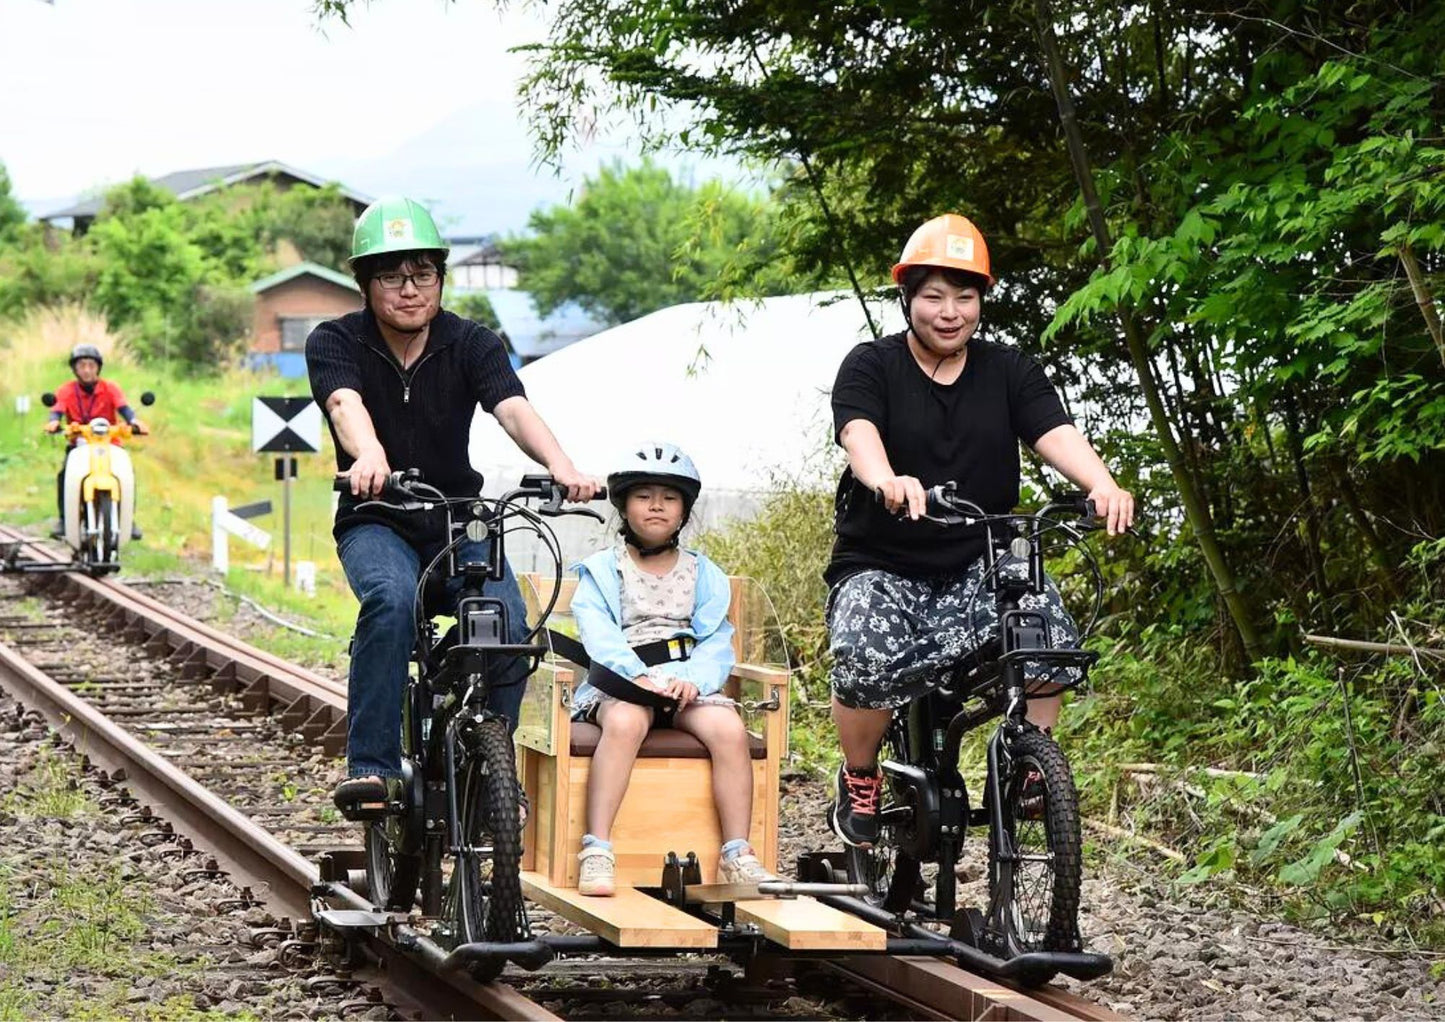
(467, 835)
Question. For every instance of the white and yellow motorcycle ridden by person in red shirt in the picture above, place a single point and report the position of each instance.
(99, 491)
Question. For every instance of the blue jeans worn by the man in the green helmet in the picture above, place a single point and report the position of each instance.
(382, 570)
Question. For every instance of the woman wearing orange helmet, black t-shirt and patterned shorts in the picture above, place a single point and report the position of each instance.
(931, 405)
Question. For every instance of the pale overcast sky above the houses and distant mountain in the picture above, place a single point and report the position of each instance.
(417, 96)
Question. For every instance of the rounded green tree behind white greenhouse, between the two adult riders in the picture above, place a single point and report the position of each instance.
(637, 241)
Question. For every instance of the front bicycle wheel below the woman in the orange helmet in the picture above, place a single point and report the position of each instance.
(1035, 884)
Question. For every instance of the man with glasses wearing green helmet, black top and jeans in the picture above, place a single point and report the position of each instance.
(401, 382)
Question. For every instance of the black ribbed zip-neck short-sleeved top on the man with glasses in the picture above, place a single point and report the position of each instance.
(423, 416)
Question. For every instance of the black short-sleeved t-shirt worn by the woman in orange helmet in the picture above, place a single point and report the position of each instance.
(967, 431)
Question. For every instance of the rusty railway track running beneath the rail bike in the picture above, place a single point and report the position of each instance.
(277, 728)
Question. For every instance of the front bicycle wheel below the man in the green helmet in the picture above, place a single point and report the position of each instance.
(485, 893)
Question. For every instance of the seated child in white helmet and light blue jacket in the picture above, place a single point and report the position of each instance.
(654, 621)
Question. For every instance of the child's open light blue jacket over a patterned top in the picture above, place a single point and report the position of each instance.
(598, 606)
